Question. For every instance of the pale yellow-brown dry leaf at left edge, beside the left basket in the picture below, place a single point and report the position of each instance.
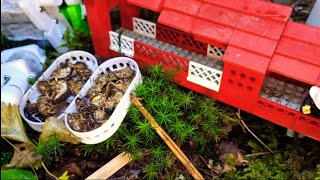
(11, 124)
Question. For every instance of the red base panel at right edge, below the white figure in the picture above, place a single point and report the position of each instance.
(307, 125)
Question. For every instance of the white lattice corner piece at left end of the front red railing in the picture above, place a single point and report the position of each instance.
(127, 44)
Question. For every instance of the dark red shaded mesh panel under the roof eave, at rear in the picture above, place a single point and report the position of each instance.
(181, 39)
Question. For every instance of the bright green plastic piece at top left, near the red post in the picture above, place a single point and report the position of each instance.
(73, 13)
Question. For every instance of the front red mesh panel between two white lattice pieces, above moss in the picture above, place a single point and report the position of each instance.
(152, 55)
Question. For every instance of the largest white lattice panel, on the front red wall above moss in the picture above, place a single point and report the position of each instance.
(204, 76)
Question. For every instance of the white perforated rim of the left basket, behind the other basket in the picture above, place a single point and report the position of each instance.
(33, 94)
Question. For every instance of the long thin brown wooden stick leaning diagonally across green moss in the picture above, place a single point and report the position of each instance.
(167, 139)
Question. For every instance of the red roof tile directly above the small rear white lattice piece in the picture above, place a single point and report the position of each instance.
(209, 32)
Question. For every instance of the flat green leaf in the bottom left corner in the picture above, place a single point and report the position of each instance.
(17, 174)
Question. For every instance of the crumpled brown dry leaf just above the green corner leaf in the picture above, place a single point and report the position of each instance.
(24, 158)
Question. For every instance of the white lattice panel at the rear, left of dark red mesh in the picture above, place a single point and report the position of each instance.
(144, 27)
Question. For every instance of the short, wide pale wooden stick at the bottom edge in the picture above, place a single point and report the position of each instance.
(111, 167)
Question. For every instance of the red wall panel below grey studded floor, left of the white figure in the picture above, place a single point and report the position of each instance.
(275, 112)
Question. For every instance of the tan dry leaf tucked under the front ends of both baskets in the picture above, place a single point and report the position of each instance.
(53, 126)
